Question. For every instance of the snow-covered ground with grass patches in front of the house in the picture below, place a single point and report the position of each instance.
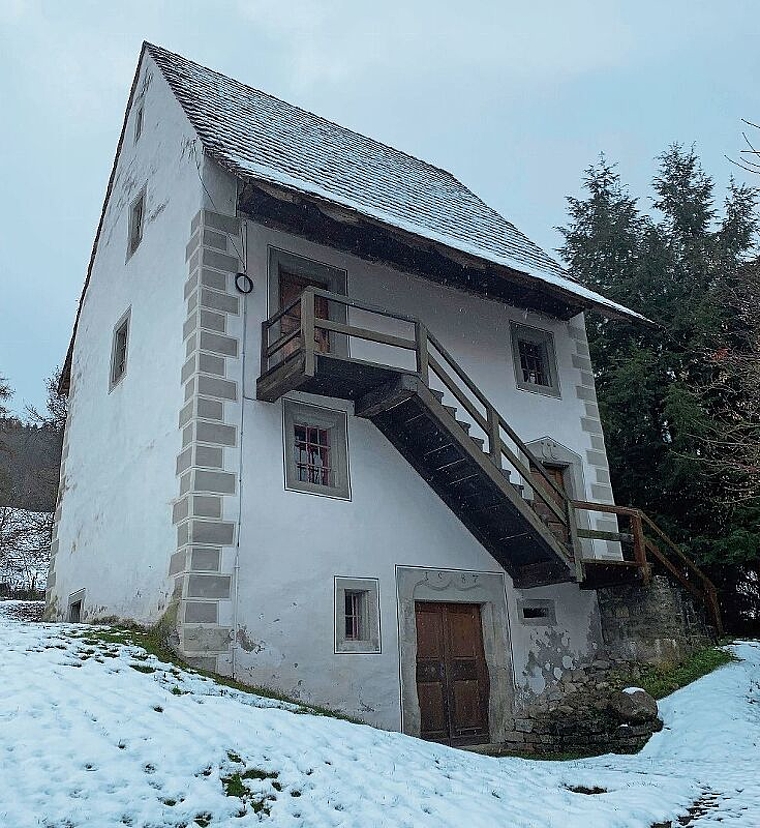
(101, 734)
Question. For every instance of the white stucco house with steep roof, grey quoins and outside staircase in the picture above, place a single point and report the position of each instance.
(328, 416)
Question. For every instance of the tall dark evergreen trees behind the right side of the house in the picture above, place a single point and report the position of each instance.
(657, 395)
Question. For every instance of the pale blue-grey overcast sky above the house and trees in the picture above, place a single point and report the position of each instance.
(515, 98)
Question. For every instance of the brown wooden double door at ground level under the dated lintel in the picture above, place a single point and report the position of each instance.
(452, 677)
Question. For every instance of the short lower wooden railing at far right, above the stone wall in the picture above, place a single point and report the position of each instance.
(647, 550)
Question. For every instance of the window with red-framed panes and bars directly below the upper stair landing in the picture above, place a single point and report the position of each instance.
(315, 450)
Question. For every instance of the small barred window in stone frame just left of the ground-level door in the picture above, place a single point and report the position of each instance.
(357, 619)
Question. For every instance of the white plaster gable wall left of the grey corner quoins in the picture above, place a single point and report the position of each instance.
(115, 532)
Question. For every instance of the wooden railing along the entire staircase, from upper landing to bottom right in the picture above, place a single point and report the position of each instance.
(440, 372)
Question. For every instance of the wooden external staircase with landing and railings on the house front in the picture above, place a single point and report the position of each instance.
(401, 378)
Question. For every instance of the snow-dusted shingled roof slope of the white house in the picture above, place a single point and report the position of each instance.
(258, 136)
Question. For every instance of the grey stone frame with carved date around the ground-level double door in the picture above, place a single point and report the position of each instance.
(457, 586)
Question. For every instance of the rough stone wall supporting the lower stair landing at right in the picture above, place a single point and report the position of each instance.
(659, 624)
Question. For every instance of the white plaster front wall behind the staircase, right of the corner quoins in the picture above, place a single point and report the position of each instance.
(293, 544)
